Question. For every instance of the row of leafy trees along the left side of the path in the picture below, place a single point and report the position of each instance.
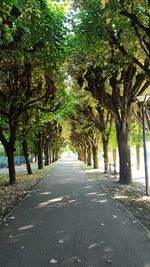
(31, 51)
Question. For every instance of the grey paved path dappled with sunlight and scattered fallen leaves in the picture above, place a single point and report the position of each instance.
(68, 221)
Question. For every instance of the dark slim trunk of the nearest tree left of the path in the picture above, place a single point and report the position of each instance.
(11, 164)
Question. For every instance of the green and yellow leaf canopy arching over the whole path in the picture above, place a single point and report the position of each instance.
(43, 41)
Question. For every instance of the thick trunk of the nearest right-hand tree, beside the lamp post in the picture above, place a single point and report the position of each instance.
(124, 153)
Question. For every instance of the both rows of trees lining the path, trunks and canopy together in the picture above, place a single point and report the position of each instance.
(86, 65)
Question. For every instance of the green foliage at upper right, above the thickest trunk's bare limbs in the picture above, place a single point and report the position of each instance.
(112, 33)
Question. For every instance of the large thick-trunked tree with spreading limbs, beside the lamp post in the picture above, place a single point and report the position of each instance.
(114, 80)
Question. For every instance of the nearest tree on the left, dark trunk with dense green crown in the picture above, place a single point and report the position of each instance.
(30, 46)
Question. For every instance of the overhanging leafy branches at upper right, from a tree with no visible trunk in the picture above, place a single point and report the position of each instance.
(122, 25)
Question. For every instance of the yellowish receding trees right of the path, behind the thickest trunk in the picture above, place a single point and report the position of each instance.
(89, 136)
